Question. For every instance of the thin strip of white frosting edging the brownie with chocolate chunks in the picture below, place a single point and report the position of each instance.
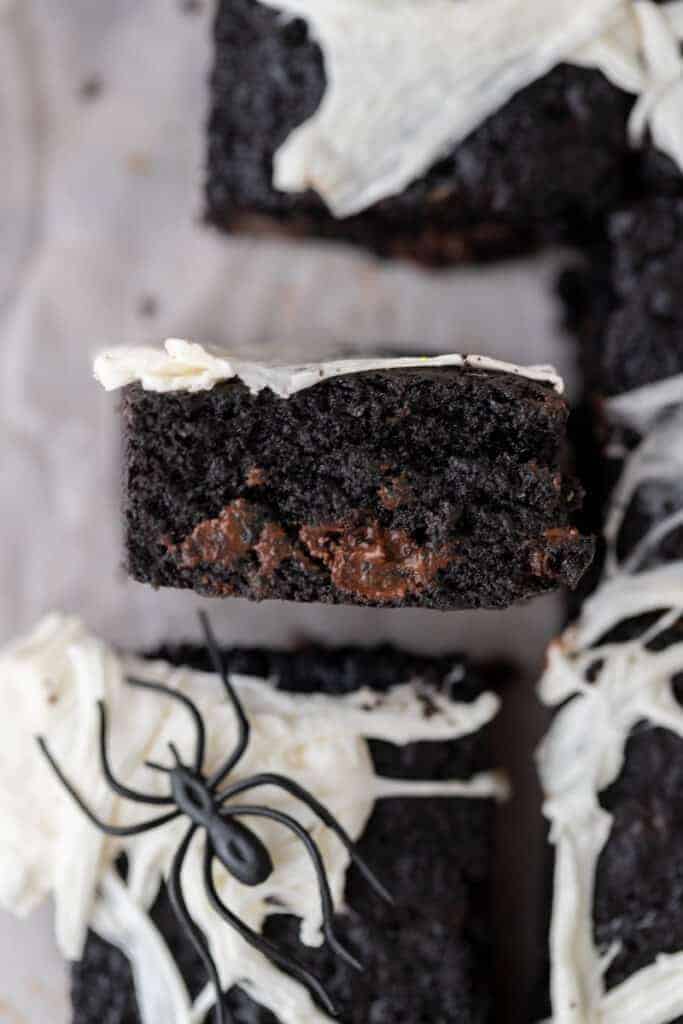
(185, 366)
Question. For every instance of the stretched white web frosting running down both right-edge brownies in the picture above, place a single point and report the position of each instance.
(612, 686)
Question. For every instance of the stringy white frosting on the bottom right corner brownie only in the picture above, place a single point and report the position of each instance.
(582, 754)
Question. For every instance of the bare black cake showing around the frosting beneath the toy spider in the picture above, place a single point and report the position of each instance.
(430, 957)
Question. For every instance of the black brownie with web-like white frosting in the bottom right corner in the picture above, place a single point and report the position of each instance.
(619, 742)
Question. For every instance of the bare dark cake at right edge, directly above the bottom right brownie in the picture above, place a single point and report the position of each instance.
(626, 311)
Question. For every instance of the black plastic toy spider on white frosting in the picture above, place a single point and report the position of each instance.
(204, 801)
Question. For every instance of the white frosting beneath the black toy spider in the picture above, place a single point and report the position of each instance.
(52, 680)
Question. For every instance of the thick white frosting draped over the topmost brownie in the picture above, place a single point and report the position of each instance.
(408, 80)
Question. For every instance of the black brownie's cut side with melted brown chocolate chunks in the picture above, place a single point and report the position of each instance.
(438, 488)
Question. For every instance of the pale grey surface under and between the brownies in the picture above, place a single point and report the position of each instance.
(103, 107)
